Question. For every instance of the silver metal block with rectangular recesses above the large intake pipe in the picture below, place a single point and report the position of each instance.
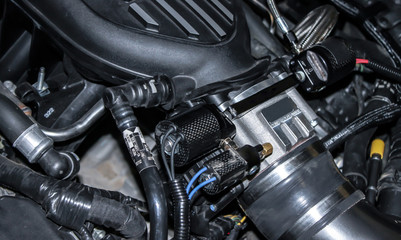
(253, 128)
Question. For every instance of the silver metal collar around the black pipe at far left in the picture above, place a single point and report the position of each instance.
(32, 143)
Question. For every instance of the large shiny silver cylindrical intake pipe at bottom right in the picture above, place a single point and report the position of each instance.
(304, 196)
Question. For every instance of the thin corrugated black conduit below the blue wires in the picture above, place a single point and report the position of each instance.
(181, 209)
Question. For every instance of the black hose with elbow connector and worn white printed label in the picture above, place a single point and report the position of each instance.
(120, 102)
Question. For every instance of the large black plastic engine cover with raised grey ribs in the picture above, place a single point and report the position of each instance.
(194, 42)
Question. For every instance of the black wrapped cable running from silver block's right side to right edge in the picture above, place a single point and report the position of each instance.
(373, 118)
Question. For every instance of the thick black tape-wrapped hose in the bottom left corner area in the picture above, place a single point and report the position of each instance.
(70, 204)
